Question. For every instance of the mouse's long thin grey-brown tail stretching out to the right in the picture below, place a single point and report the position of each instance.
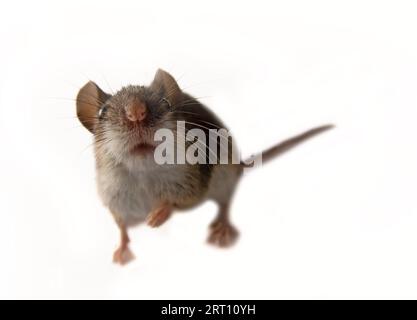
(286, 145)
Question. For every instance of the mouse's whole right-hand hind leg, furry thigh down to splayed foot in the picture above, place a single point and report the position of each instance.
(225, 178)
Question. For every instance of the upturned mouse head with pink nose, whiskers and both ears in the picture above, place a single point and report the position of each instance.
(126, 121)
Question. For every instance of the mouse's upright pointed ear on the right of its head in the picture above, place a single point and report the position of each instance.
(166, 85)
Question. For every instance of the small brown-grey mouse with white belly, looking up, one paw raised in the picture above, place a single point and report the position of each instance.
(139, 187)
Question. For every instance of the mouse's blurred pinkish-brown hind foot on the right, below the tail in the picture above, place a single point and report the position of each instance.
(221, 232)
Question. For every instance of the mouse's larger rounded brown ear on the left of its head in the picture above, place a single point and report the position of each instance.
(89, 100)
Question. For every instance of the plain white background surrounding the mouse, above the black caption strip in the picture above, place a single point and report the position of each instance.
(335, 218)
